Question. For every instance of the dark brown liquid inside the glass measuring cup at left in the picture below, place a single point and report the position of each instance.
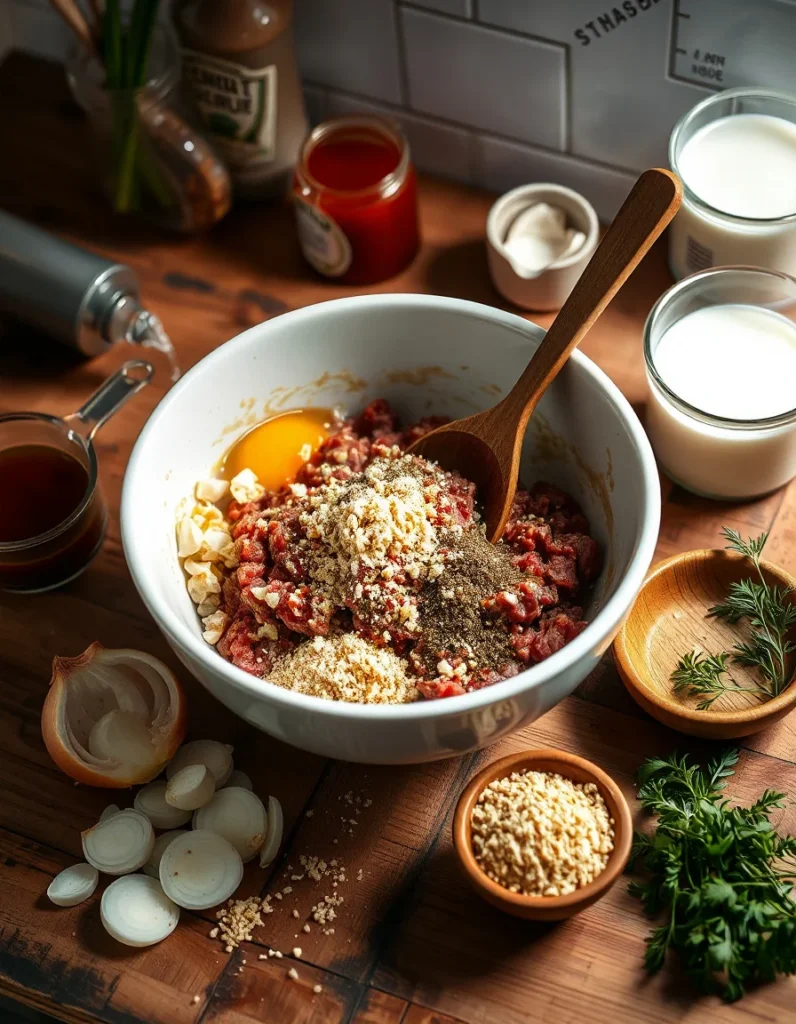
(40, 487)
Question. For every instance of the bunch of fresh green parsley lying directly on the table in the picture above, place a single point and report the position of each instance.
(720, 875)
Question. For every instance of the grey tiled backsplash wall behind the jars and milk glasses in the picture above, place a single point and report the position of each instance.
(500, 92)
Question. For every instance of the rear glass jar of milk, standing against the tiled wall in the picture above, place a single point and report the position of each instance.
(736, 154)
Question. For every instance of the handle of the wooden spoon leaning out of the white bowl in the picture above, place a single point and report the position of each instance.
(652, 204)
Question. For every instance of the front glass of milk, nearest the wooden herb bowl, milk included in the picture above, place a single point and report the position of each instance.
(721, 354)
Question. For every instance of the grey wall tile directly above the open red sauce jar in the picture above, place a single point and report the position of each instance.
(350, 45)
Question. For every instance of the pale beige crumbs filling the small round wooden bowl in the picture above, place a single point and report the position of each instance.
(540, 834)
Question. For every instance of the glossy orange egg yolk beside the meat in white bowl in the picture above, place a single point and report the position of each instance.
(276, 449)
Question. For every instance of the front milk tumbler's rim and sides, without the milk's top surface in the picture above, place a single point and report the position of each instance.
(715, 456)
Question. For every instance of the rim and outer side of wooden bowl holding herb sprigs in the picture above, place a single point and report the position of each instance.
(636, 681)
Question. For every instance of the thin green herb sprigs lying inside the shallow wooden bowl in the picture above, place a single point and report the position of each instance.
(771, 616)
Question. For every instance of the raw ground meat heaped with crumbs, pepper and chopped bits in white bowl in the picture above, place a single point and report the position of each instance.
(373, 543)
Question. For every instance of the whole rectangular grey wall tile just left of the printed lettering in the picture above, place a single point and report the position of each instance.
(485, 79)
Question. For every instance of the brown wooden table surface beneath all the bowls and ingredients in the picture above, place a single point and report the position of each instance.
(411, 946)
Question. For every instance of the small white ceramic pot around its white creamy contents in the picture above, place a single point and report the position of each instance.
(548, 289)
